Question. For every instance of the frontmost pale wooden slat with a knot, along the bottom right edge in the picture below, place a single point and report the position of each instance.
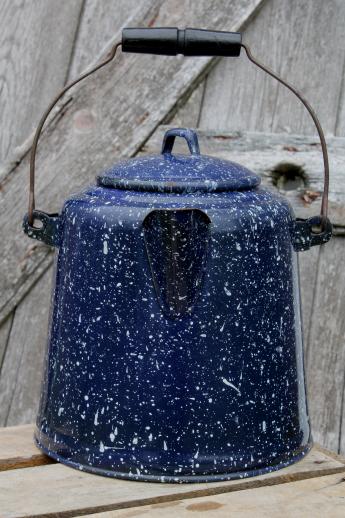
(320, 497)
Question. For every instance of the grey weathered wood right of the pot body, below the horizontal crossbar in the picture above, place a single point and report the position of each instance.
(326, 349)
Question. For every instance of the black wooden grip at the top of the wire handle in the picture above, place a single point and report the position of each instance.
(171, 41)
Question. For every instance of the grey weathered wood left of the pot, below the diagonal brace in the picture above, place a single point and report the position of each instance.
(22, 367)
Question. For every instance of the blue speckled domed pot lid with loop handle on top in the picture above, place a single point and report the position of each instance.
(179, 173)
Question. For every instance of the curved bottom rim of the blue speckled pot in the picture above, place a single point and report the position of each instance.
(172, 479)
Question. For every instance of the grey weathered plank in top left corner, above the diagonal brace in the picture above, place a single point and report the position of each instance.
(35, 46)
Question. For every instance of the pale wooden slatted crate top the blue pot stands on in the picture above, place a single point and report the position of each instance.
(33, 485)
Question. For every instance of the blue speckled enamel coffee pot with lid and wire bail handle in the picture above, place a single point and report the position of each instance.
(175, 344)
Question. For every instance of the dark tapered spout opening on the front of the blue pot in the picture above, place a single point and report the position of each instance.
(176, 245)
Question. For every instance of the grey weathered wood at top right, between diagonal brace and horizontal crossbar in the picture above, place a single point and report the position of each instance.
(294, 39)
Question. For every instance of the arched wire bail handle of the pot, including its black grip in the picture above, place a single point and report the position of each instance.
(189, 42)
